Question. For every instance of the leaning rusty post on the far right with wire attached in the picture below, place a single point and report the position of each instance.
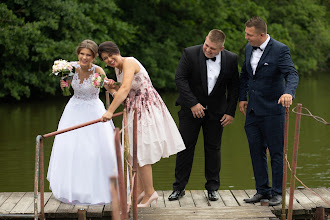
(294, 160)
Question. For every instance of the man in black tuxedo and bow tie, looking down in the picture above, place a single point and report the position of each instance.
(208, 82)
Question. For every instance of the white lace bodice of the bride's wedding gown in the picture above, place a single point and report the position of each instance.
(84, 90)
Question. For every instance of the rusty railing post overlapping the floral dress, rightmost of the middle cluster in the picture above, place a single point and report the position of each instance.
(135, 164)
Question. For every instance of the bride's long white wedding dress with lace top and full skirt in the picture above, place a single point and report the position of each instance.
(83, 160)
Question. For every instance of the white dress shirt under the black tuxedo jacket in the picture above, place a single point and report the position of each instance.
(213, 71)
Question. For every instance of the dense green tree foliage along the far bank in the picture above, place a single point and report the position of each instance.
(35, 33)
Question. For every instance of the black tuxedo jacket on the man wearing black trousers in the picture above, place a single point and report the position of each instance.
(191, 81)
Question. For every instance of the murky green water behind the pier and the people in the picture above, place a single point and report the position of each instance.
(22, 122)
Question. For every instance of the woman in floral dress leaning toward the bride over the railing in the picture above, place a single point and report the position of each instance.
(157, 134)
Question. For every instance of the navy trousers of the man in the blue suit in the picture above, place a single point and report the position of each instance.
(266, 132)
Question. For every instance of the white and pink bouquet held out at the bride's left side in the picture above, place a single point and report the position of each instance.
(65, 70)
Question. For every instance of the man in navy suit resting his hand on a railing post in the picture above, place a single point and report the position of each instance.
(270, 79)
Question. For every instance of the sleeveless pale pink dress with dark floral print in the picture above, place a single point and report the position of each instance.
(158, 135)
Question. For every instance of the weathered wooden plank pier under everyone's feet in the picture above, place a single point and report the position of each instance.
(194, 205)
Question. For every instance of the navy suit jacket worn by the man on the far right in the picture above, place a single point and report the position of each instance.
(275, 75)
